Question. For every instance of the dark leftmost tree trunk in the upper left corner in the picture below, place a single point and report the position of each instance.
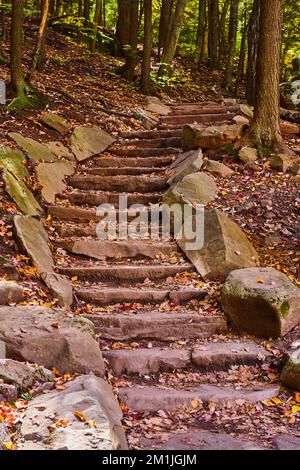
(16, 40)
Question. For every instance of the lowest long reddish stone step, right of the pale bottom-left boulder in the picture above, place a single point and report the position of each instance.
(151, 399)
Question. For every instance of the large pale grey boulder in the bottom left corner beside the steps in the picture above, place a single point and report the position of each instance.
(89, 395)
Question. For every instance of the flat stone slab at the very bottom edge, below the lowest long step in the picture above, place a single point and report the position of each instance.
(207, 441)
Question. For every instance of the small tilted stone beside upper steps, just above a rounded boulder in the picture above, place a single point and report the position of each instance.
(185, 164)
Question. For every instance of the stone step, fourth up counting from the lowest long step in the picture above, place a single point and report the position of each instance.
(111, 296)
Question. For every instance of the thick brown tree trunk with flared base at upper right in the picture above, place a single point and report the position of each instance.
(265, 127)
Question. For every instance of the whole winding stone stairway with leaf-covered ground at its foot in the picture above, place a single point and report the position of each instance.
(179, 373)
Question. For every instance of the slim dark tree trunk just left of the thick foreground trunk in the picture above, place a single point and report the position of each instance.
(253, 36)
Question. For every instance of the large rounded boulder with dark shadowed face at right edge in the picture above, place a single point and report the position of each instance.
(261, 301)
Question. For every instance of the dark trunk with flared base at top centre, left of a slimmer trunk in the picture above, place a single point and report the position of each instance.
(131, 50)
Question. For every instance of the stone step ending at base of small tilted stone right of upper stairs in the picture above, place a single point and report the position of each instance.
(130, 184)
